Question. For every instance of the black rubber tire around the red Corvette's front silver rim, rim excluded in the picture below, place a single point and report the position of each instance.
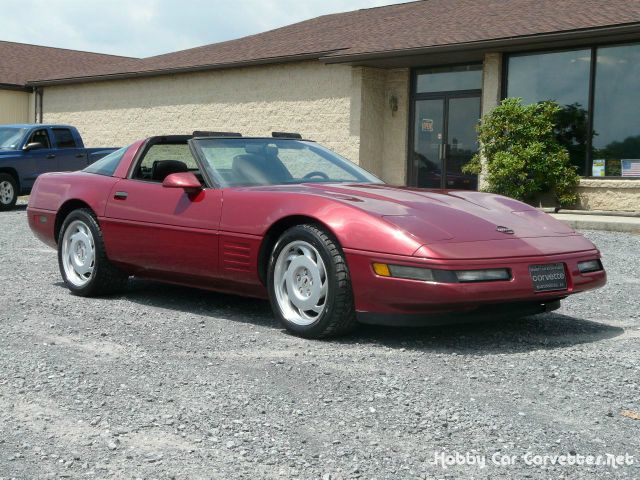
(338, 316)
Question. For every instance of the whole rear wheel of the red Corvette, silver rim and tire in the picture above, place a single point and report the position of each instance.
(83, 262)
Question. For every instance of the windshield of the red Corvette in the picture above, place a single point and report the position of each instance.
(236, 162)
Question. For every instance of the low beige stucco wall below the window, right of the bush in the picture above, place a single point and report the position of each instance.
(612, 195)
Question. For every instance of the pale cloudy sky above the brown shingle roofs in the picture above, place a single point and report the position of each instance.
(142, 28)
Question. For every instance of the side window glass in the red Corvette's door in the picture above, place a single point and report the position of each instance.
(163, 159)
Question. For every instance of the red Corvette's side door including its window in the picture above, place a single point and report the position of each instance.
(163, 232)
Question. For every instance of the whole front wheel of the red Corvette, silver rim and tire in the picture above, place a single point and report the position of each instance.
(309, 284)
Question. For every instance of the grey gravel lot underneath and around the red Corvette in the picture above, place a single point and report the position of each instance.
(167, 382)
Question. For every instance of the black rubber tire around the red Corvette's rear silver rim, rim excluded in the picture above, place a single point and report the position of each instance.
(106, 278)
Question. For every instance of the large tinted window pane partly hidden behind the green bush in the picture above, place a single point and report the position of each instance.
(562, 77)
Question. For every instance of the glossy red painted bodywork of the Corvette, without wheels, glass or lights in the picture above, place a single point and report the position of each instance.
(211, 239)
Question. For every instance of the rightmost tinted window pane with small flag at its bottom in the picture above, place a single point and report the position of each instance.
(616, 130)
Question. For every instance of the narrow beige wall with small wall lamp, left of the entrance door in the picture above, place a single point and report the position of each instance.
(383, 131)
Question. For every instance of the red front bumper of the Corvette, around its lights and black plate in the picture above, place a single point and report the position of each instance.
(387, 297)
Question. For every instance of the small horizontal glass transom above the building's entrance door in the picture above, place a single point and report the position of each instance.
(446, 79)
